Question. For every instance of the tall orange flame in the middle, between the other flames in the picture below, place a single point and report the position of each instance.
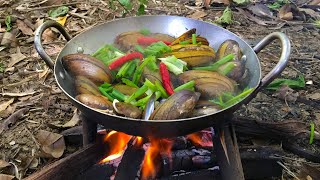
(149, 166)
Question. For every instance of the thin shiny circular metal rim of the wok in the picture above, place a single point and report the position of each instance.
(78, 103)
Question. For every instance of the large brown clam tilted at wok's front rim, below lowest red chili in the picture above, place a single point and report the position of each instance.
(177, 106)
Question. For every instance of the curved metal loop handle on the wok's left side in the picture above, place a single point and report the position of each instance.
(38, 36)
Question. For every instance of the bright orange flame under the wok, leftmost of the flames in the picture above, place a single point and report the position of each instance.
(117, 142)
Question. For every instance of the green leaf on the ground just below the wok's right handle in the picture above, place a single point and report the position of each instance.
(277, 83)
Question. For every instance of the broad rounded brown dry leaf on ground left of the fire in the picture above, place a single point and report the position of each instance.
(51, 143)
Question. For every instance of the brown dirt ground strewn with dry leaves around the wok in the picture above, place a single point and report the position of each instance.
(29, 83)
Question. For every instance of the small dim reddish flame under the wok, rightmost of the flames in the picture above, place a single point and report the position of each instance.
(201, 138)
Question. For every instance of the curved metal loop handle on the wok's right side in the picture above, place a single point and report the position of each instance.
(284, 57)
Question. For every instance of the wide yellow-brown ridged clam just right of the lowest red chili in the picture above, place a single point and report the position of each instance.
(210, 84)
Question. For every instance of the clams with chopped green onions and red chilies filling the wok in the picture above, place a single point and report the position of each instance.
(187, 76)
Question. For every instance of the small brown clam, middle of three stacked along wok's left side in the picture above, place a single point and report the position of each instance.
(84, 85)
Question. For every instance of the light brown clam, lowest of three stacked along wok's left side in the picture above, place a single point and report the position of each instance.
(98, 102)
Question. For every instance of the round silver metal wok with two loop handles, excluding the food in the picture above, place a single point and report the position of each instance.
(95, 37)
